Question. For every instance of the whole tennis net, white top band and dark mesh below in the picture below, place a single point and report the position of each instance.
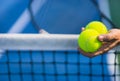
(45, 57)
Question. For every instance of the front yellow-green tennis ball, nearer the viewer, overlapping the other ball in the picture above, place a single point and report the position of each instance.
(88, 41)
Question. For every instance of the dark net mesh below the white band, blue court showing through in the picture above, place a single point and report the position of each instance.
(57, 66)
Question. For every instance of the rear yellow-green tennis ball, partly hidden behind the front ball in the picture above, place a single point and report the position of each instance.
(98, 26)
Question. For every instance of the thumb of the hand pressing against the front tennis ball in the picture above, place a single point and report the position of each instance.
(106, 37)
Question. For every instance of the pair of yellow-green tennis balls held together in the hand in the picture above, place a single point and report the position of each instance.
(88, 39)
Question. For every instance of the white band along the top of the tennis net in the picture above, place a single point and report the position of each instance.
(38, 42)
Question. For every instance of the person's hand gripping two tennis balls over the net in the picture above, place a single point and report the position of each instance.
(109, 40)
